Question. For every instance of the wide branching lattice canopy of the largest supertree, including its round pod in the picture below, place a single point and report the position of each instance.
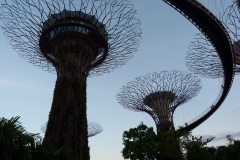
(104, 30)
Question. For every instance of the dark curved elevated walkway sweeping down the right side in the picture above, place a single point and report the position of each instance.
(216, 33)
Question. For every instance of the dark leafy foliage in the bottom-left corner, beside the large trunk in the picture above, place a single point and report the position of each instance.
(17, 144)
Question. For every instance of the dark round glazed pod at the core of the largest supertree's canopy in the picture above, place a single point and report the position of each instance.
(74, 41)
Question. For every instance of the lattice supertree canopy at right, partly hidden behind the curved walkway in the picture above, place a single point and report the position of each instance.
(202, 58)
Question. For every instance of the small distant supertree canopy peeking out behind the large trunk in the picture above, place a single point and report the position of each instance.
(93, 128)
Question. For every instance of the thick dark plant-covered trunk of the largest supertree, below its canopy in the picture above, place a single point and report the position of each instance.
(67, 119)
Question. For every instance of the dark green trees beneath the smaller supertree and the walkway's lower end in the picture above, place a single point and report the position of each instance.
(142, 143)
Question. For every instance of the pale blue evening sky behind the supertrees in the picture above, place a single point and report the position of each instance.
(27, 91)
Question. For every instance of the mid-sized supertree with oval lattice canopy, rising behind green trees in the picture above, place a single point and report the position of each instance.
(159, 94)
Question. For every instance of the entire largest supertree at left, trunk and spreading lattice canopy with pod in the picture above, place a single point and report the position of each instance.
(75, 39)
